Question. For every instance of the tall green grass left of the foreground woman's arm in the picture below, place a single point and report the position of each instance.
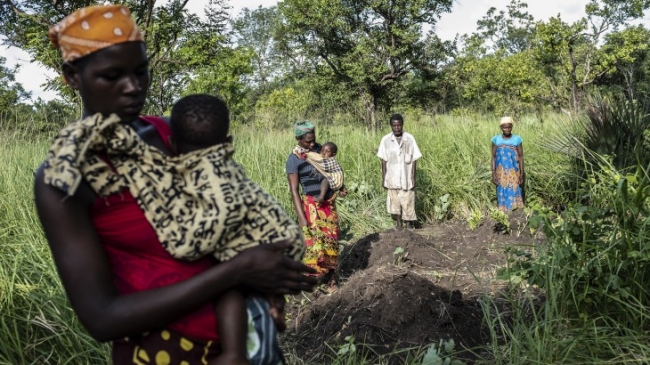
(37, 325)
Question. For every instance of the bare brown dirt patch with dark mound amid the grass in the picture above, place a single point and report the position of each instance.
(407, 289)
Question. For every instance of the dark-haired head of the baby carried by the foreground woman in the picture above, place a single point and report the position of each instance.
(199, 121)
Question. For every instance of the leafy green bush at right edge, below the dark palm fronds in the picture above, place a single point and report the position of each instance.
(597, 258)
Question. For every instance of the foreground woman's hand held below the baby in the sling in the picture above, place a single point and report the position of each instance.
(266, 269)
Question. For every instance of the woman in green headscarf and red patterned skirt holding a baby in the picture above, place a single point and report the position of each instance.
(320, 221)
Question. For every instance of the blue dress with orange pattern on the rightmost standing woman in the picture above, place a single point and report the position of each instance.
(509, 194)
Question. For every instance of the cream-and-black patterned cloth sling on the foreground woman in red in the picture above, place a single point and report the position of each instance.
(198, 203)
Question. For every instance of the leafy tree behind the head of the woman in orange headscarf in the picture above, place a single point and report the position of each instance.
(186, 52)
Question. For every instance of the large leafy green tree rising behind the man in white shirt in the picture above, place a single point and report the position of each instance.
(367, 46)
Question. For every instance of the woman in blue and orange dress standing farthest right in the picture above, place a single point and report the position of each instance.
(508, 167)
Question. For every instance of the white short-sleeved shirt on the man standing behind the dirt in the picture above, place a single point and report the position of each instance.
(399, 157)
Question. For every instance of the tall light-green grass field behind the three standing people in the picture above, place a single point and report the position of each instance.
(456, 161)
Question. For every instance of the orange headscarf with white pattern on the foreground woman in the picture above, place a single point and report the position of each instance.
(93, 28)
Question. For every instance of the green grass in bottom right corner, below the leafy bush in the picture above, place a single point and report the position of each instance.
(525, 330)
